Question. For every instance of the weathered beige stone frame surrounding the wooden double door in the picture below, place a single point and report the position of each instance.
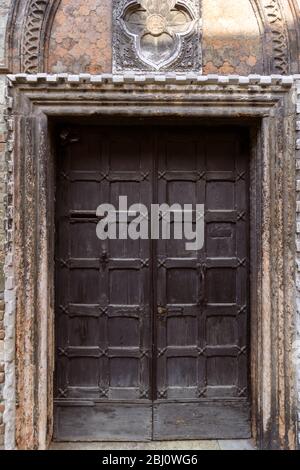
(34, 102)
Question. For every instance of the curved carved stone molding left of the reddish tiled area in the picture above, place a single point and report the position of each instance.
(31, 42)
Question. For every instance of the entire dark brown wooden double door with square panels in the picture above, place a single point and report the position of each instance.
(152, 339)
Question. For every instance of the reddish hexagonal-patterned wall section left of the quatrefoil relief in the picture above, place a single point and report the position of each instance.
(81, 37)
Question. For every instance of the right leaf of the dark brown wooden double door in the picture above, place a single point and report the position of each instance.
(202, 334)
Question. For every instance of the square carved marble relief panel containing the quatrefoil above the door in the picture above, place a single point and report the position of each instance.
(155, 35)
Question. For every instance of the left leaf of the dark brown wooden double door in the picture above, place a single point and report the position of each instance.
(103, 291)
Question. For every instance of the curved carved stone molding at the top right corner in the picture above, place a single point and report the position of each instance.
(279, 36)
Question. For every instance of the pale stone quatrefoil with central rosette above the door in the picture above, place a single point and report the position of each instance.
(158, 27)
